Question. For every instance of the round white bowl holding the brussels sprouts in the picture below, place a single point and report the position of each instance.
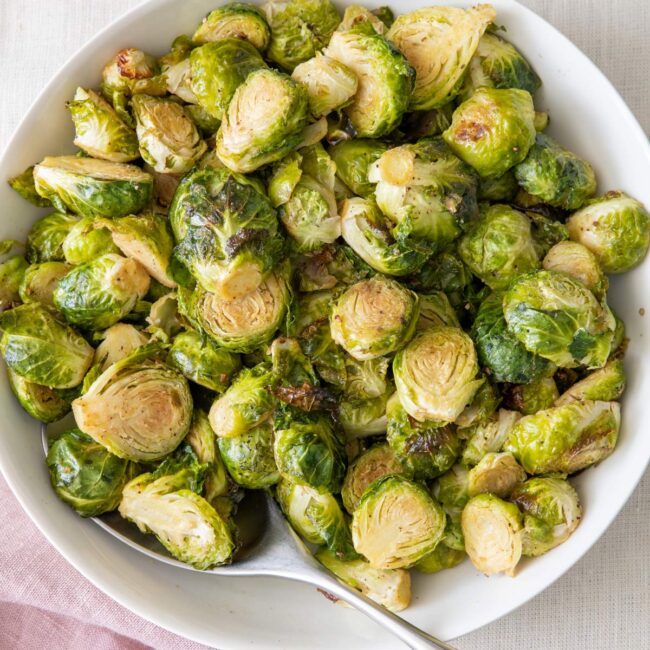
(589, 117)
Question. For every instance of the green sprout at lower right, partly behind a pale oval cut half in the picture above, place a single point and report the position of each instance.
(551, 511)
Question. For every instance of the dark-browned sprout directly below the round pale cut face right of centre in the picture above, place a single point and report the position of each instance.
(425, 449)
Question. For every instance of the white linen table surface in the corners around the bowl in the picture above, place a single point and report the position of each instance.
(604, 601)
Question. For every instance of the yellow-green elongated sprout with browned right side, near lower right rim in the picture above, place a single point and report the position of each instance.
(565, 438)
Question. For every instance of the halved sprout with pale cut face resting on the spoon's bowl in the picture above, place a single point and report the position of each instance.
(167, 505)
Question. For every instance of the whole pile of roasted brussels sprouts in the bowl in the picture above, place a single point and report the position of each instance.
(337, 258)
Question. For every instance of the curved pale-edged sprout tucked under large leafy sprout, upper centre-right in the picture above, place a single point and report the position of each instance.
(365, 230)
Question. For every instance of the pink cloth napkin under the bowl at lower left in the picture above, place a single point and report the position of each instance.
(45, 604)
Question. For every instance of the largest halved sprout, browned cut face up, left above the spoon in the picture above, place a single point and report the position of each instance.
(139, 408)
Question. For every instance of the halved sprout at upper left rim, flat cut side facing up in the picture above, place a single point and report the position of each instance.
(93, 188)
